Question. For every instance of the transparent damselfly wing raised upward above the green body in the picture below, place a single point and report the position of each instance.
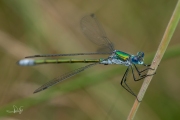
(94, 31)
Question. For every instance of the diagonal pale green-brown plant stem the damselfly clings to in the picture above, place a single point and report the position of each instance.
(159, 54)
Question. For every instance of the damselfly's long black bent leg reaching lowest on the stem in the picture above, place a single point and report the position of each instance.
(124, 81)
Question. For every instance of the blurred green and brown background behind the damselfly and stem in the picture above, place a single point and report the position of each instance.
(53, 26)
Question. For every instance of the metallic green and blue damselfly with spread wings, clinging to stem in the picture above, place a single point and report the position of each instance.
(94, 32)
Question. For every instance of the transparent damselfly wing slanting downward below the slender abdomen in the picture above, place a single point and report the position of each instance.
(63, 77)
